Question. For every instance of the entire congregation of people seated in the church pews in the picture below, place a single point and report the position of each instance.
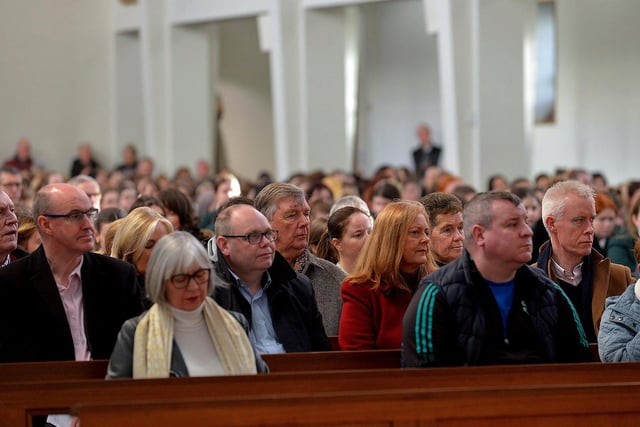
(531, 271)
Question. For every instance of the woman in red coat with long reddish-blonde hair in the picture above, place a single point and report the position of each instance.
(393, 261)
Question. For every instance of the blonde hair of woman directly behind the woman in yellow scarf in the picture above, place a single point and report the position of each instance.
(134, 231)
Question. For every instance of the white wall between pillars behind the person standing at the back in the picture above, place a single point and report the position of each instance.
(399, 87)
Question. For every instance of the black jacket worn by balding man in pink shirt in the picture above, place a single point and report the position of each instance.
(33, 323)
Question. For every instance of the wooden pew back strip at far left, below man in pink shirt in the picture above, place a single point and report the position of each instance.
(52, 371)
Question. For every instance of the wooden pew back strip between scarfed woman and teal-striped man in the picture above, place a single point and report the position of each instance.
(333, 360)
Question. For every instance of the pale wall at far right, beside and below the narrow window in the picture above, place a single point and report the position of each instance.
(598, 105)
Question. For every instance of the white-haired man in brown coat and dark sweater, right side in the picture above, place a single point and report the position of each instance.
(568, 258)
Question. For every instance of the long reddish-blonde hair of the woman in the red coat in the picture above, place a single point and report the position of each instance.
(379, 261)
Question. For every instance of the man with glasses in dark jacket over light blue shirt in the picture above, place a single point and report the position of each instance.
(278, 302)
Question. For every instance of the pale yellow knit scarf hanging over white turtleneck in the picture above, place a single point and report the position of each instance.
(153, 342)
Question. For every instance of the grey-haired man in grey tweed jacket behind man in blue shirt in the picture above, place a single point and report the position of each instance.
(287, 211)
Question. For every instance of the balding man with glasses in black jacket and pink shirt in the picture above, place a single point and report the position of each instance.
(63, 302)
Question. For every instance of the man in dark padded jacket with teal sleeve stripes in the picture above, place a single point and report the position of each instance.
(488, 306)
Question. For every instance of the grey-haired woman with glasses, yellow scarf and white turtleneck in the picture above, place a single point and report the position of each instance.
(185, 333)
